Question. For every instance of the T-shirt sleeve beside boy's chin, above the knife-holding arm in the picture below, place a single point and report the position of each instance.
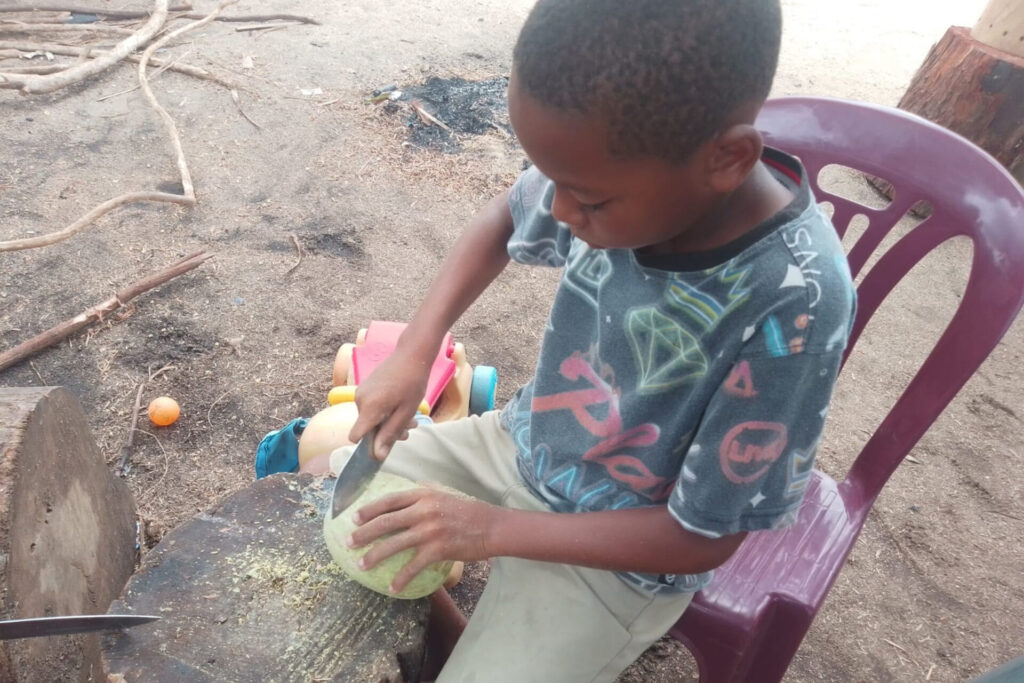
(538, 239)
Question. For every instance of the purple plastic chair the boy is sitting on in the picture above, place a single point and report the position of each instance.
(748, 624)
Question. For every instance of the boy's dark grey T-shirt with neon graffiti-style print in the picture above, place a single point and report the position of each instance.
(701, 381)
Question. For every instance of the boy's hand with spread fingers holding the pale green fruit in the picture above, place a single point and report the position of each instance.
(440, 526)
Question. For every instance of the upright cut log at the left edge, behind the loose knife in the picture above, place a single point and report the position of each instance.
(68, 532)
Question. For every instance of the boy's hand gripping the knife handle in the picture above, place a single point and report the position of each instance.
(389, 400)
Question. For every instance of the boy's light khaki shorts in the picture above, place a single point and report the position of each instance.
(536, 622)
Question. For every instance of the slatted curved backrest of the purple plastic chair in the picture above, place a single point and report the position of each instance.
(971, 195)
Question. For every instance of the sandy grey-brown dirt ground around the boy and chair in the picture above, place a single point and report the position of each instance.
(934, 589)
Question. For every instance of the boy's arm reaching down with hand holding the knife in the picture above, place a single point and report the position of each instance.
(391, 396)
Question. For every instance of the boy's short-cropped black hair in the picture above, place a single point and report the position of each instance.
(663, 74)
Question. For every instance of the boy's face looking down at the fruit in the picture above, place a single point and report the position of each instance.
(607, 202)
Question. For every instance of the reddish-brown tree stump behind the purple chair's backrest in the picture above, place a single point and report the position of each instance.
(975, 91)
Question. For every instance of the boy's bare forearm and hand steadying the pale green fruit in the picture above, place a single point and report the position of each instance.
(444, 527)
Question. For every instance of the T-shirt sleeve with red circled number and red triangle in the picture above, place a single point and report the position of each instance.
(751, 459)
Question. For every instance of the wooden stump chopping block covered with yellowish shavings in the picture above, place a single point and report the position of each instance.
(248, 592)
